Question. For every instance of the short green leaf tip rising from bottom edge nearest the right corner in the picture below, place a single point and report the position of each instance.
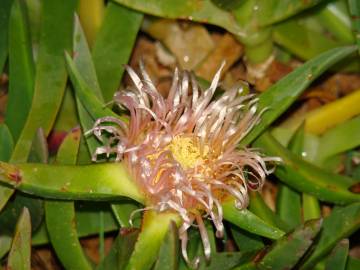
(338, 257)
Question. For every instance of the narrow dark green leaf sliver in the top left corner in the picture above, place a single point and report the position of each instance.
(4, 26)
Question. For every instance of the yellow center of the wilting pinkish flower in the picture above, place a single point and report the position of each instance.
(187, 152)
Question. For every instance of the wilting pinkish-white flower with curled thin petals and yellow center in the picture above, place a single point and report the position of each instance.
(182, 150)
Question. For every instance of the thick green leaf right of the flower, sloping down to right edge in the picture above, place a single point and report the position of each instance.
(306, 177)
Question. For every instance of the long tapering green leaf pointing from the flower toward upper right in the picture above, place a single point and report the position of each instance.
(282, 94)
